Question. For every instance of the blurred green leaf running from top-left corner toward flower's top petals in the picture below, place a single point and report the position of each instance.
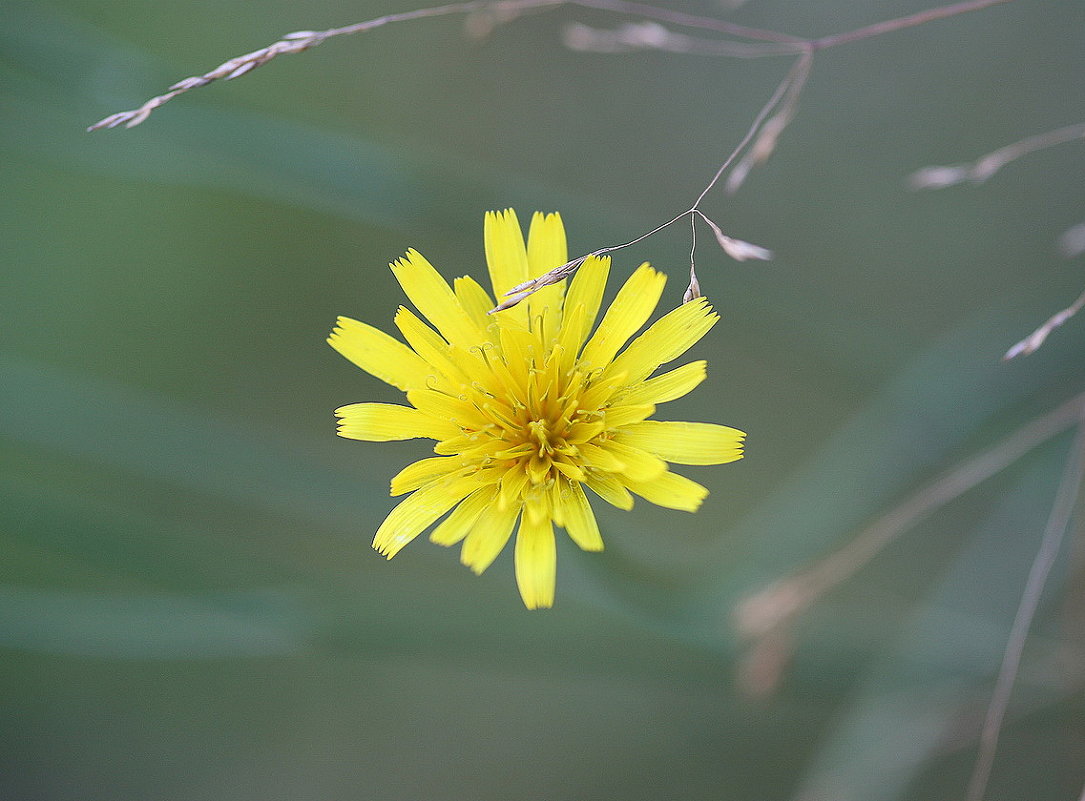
(62, 71)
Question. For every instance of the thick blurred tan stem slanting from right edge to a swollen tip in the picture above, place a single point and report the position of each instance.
(760, 615)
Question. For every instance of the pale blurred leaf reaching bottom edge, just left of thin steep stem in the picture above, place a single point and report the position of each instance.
(914, 698)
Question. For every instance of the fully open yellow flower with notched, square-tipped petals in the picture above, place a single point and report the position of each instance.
(527, 408)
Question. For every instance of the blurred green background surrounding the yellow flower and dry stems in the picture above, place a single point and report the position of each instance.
(189, 604)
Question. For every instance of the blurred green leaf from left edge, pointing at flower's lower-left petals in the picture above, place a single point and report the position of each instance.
(109, 426)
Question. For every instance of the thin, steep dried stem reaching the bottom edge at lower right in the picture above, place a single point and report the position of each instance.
(1058, 522)
